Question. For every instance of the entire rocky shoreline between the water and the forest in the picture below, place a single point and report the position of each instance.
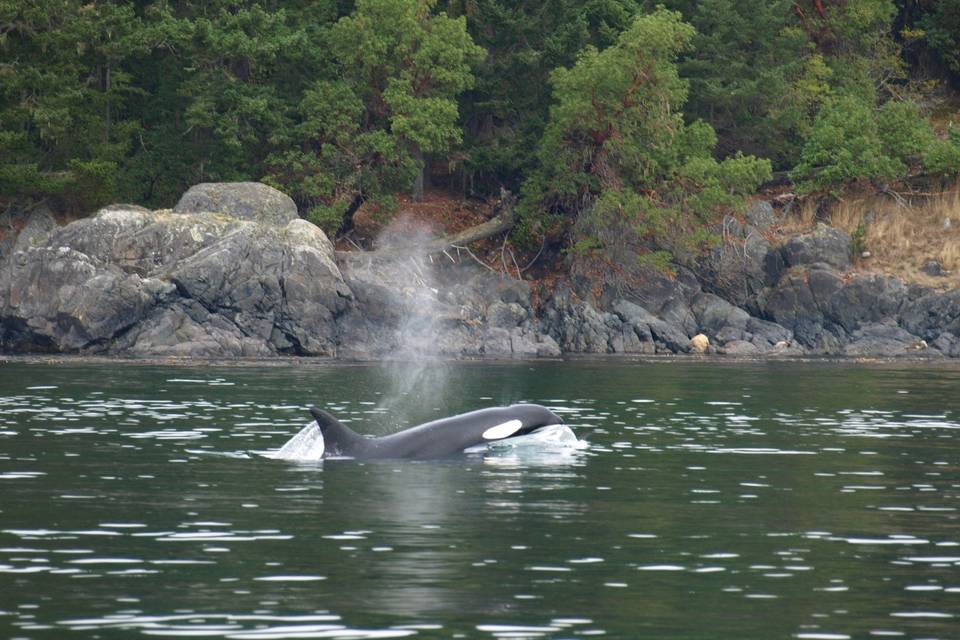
(233, 272)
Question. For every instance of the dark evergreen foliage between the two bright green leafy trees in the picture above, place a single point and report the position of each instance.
(506, 112)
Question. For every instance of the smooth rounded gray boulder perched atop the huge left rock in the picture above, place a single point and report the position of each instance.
(244, 200)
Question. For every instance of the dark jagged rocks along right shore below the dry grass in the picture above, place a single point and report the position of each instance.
(750, 298)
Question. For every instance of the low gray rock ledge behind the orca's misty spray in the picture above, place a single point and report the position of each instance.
(407, 306)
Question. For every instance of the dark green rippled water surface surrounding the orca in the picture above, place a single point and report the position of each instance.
(755, 501)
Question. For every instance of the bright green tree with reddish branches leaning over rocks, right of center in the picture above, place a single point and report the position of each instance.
(616, 158)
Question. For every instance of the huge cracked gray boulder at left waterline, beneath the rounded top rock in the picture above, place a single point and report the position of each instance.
(128, 280)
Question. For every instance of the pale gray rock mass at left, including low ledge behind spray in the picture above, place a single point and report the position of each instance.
(233, 271)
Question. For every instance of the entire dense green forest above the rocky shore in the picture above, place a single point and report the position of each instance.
(616, 121)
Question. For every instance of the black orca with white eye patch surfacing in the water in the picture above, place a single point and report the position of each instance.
(435, 439)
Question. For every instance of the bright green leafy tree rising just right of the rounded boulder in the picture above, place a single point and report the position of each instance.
(362, 135)
